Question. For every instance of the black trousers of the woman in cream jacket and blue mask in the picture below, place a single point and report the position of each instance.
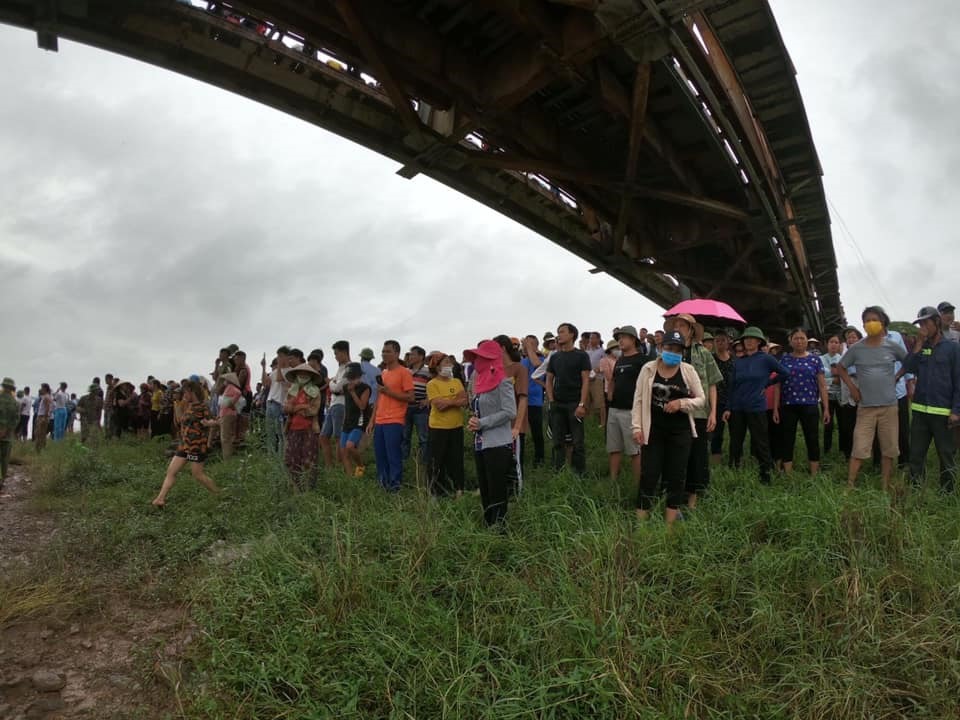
(665, 457)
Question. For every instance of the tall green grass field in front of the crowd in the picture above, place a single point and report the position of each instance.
(798, 600)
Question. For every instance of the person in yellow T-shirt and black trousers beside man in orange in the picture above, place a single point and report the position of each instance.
(447, 398)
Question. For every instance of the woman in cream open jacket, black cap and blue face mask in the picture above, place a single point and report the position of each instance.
(668, 391)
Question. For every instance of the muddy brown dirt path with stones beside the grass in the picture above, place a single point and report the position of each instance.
(96, 653)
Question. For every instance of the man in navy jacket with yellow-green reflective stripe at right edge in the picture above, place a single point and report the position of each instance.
(936, 401)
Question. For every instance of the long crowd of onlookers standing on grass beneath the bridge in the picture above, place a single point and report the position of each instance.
(664, 400)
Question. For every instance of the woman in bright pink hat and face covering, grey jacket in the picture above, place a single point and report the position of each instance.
(494, 410)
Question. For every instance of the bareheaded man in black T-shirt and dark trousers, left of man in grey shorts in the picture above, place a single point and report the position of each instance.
(568, 387)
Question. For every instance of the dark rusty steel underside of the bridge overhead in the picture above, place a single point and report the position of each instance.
(670, 150)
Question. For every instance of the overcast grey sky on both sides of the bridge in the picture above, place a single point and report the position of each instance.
(147, 219)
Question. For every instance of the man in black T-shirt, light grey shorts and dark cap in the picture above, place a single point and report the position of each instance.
(620, 393)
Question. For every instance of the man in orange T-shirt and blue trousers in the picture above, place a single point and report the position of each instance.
(389, 417)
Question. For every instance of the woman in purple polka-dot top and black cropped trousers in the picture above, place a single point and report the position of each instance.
(804, 392)
